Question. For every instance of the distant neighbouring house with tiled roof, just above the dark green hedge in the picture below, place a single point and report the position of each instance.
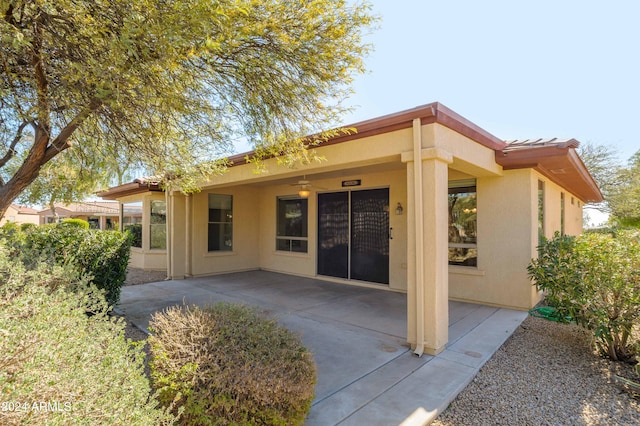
(100, 214)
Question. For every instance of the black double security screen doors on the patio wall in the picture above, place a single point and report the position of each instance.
(353, 235)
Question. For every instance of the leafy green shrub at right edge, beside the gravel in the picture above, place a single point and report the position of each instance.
(594, 279)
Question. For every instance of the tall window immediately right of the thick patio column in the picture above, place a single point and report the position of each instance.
(463, 223)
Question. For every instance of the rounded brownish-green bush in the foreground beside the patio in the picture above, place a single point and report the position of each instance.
(227, 364)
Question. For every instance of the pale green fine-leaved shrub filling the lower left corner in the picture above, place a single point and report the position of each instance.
(60, 366)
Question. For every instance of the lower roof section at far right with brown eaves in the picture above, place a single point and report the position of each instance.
(556, 159)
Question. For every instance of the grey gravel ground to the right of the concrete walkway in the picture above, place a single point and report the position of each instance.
(545, 374)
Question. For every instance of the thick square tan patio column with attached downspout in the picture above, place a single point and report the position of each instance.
(427, 260)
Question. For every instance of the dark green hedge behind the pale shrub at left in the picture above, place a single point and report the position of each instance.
(101, 255)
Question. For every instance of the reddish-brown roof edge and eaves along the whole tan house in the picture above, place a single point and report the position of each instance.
(554, 158)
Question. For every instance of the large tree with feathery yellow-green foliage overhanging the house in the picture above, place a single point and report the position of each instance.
(170, 83)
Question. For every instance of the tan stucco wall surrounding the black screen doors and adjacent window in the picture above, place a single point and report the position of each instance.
(305, 264)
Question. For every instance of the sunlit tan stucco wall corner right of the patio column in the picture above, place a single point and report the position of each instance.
(508, 237)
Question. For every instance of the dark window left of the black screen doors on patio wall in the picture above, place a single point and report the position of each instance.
(291, 232)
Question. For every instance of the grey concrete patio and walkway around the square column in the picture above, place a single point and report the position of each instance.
(366, 372)
